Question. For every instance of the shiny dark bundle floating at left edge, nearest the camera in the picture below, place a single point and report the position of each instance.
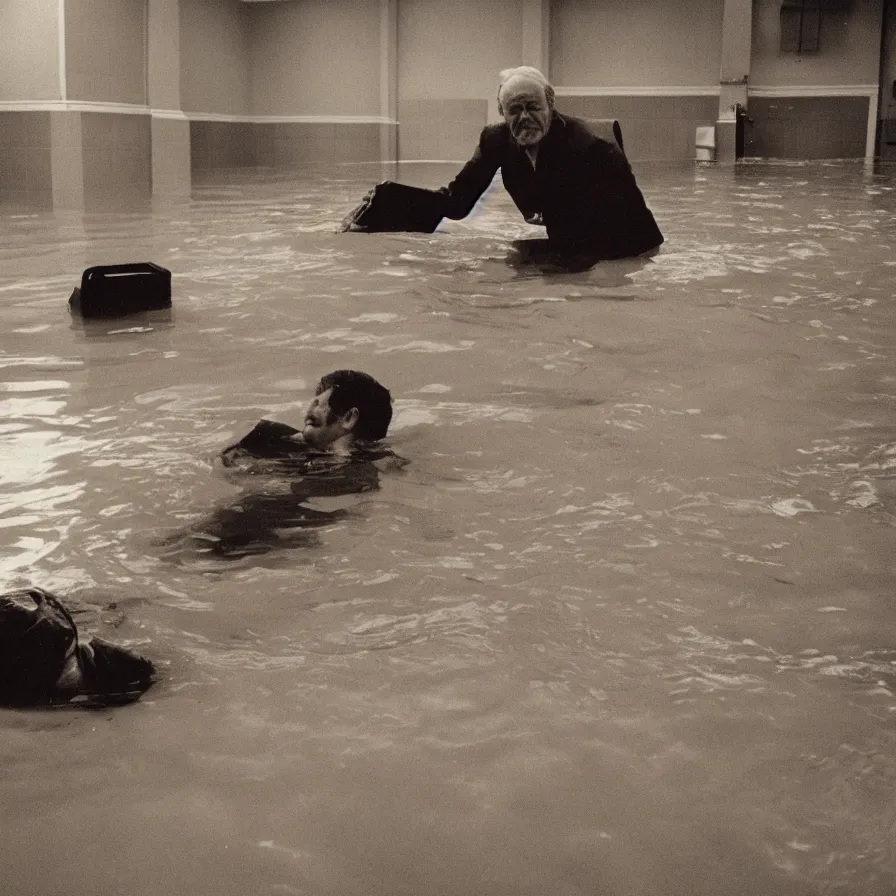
(42, 662)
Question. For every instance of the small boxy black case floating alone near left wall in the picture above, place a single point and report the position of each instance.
(120, 289)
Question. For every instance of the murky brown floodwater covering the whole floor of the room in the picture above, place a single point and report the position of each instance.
(624, 626)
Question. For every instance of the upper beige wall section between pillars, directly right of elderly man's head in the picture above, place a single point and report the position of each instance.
(621, 43)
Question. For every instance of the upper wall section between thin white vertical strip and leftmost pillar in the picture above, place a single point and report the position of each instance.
(105, 50)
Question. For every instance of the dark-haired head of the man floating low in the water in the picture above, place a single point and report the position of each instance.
(348, 406)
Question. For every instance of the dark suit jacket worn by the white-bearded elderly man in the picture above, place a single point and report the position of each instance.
(582, 186)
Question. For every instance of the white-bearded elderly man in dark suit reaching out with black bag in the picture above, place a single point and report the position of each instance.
(556, 169)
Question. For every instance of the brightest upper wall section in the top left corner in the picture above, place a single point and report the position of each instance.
(29, 50)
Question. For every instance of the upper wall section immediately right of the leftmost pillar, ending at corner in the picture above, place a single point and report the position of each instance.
(214, 56)
